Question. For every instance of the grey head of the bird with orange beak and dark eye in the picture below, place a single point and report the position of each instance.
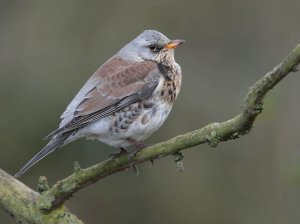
(150, 45)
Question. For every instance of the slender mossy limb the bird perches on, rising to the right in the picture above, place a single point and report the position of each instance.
(211, 134)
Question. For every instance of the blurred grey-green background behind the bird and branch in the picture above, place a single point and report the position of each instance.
(48, 49)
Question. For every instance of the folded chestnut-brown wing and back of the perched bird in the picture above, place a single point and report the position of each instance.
(120, 84)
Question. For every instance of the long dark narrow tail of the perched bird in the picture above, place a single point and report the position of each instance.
(54, 144)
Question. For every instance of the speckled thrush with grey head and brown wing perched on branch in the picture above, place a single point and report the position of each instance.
(125, 100)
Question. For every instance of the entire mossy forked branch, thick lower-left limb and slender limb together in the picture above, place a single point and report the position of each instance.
(29, 206)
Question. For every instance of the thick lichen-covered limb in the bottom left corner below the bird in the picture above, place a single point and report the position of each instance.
(20, 201)
